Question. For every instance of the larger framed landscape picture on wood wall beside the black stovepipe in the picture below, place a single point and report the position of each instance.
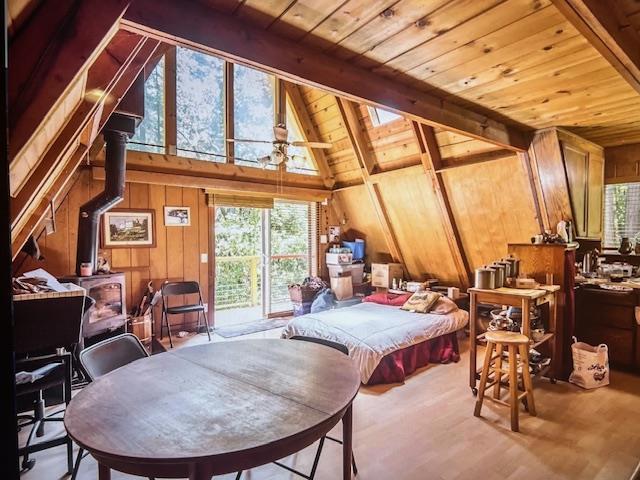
(128, 227)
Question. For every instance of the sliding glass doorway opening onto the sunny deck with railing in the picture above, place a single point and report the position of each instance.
(259, 252)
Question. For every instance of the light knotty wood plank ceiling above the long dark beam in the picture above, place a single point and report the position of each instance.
(521, 58)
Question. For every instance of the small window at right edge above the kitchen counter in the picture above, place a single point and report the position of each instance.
(621, 213)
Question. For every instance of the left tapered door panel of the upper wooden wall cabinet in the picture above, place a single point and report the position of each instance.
(575, 164)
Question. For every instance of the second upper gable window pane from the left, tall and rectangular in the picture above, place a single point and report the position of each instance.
(200, 105)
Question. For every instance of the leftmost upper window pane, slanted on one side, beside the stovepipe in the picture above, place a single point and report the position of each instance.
(149, 136)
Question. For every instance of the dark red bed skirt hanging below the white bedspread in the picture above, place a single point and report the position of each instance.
(394, 367)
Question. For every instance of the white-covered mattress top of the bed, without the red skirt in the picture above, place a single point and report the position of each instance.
(371, 331)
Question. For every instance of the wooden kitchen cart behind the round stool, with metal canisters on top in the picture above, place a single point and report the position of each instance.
(522, 298)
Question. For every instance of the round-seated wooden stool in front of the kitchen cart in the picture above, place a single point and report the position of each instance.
(515, 343)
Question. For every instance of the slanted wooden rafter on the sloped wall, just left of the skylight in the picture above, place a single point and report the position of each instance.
(360, 150)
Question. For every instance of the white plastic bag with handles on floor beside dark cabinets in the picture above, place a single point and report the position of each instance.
(590, 365)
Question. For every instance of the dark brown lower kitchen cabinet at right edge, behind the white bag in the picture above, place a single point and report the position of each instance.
(609, 317)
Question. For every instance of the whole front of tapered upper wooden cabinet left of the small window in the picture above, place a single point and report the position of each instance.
(584, 167)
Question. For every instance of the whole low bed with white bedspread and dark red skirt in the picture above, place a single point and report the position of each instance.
(386, 342)
